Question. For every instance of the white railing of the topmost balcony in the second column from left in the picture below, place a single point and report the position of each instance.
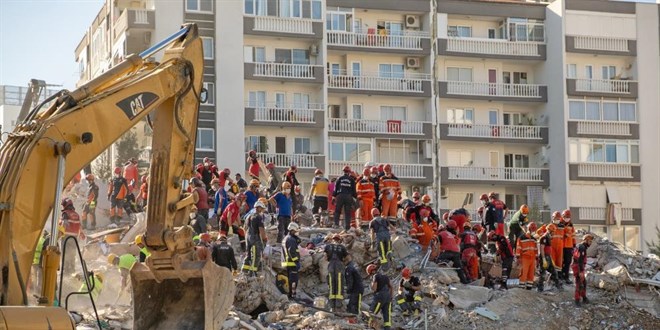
(373, 40)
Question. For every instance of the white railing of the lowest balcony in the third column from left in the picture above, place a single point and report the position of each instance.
(495, 173)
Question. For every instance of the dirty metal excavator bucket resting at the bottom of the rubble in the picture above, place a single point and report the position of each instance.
(202, 301)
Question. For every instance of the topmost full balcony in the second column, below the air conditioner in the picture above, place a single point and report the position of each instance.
(409, 44)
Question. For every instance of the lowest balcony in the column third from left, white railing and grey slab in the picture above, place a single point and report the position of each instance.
(495, 175)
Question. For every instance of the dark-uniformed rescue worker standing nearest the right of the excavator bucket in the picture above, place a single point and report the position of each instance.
(257, 239)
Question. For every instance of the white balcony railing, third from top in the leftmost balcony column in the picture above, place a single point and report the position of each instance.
(285, 112)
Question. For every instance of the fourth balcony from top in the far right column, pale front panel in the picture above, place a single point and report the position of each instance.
(604, 172)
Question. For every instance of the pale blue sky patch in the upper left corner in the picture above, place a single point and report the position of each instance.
(38, 39)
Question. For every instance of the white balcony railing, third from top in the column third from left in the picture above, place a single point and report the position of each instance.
(496, 131)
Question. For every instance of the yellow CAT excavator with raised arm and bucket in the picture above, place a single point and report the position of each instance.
(171, 290)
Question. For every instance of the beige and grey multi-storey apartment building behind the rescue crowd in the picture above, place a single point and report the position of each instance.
(549, 104)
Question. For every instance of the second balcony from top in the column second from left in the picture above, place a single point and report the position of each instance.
(373, 83)
